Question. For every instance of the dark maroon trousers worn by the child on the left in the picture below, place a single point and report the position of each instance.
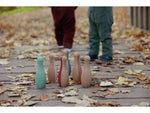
(64, 21)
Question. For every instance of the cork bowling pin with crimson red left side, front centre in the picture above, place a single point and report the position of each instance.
(63, 77)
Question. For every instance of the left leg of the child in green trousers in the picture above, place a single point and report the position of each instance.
(94, 38)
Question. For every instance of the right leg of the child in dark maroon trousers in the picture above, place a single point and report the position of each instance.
(69, 27)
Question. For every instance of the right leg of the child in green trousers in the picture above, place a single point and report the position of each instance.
(106, 39)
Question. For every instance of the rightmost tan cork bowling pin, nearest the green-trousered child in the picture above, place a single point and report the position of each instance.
(86, 74)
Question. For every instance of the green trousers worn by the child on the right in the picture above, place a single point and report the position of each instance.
(100, 21)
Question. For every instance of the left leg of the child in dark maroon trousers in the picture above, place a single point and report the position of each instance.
(59, 32)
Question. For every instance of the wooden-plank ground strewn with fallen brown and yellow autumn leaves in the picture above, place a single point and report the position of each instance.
(25, 36)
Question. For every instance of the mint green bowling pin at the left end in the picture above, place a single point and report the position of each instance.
(40, 77)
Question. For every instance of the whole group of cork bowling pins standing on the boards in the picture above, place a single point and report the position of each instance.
(64, 72)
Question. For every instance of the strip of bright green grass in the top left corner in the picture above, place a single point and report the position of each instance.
(18, 10)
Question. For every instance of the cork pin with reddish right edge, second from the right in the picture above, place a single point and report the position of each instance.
(76, 70)
